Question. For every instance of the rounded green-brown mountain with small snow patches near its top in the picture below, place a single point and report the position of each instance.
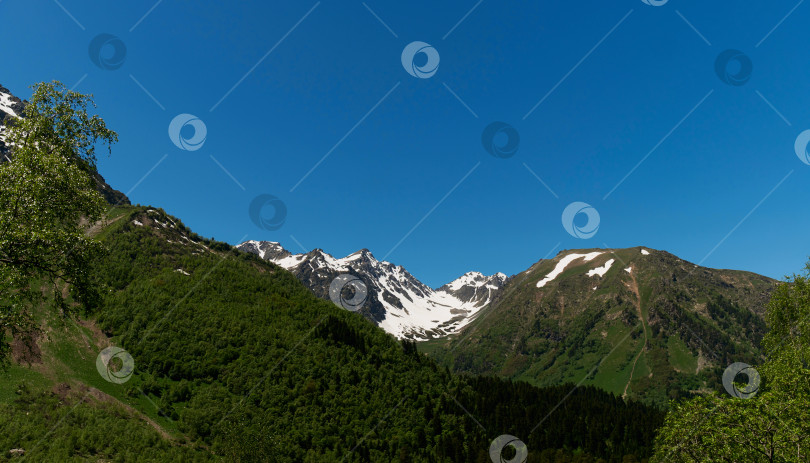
(650, 325)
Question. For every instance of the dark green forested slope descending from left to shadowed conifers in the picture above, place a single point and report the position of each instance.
(236, 360)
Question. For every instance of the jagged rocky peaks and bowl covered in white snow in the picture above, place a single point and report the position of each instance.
(396, 301)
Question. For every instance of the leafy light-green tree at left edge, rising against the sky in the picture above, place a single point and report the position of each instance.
(46, 191)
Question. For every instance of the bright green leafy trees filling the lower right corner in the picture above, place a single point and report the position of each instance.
(772, 426)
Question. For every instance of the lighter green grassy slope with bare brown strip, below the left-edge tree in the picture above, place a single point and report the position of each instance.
(55, 406)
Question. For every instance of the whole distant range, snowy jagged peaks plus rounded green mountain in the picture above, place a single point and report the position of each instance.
(637, 322)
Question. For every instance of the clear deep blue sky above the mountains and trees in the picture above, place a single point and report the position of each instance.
(279, 85)
